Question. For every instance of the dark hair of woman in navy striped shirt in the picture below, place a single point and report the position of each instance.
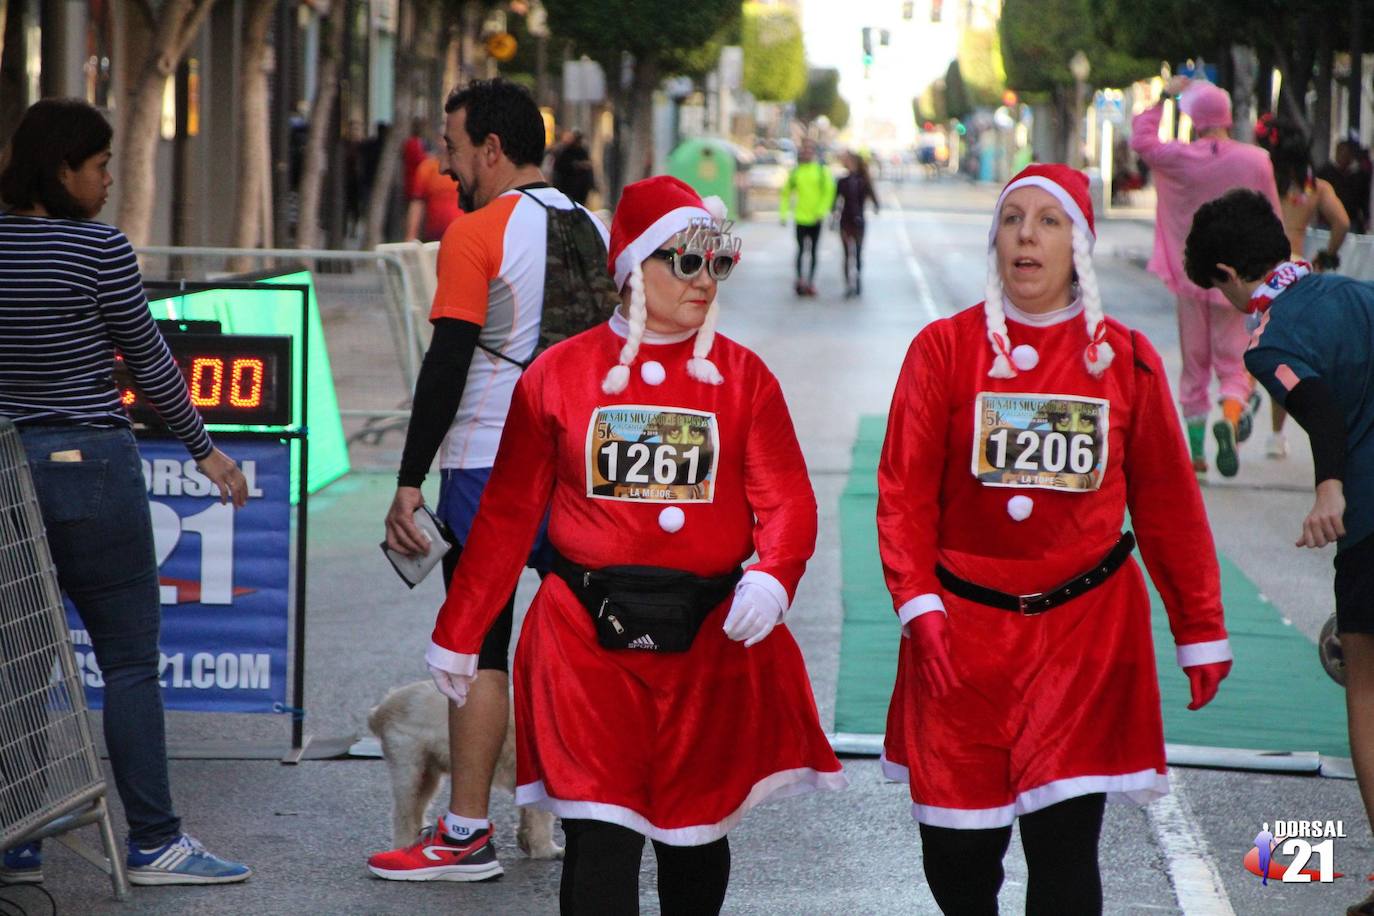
(53, 133)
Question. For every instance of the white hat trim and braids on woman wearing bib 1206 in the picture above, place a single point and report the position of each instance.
(1099, 355)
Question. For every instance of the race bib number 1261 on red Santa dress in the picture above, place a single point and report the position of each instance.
(652, 454)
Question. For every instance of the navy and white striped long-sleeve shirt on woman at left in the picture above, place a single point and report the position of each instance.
(71, 295)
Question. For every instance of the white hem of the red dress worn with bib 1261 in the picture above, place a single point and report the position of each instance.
(781, 785)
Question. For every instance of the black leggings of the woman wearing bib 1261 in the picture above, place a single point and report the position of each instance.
(601, 873)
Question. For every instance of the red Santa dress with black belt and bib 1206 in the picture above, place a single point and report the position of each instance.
(1064, 704)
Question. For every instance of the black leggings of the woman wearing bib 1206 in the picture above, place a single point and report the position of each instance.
(964, 867)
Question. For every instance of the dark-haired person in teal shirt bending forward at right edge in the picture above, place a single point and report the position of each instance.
(1314, 352)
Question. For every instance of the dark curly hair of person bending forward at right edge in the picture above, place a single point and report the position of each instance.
(1240, 230)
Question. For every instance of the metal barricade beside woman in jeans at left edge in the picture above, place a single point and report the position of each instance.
(50, 775)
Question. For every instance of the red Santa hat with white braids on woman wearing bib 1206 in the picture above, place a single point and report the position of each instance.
(1071, 189)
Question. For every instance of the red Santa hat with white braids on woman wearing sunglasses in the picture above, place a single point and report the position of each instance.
(652, 214)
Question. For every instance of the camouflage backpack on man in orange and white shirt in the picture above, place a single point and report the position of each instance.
(579, 293)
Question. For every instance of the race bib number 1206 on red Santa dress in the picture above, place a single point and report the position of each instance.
(1041, 442)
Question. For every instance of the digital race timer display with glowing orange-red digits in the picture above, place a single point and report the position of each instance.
(233, 378)
